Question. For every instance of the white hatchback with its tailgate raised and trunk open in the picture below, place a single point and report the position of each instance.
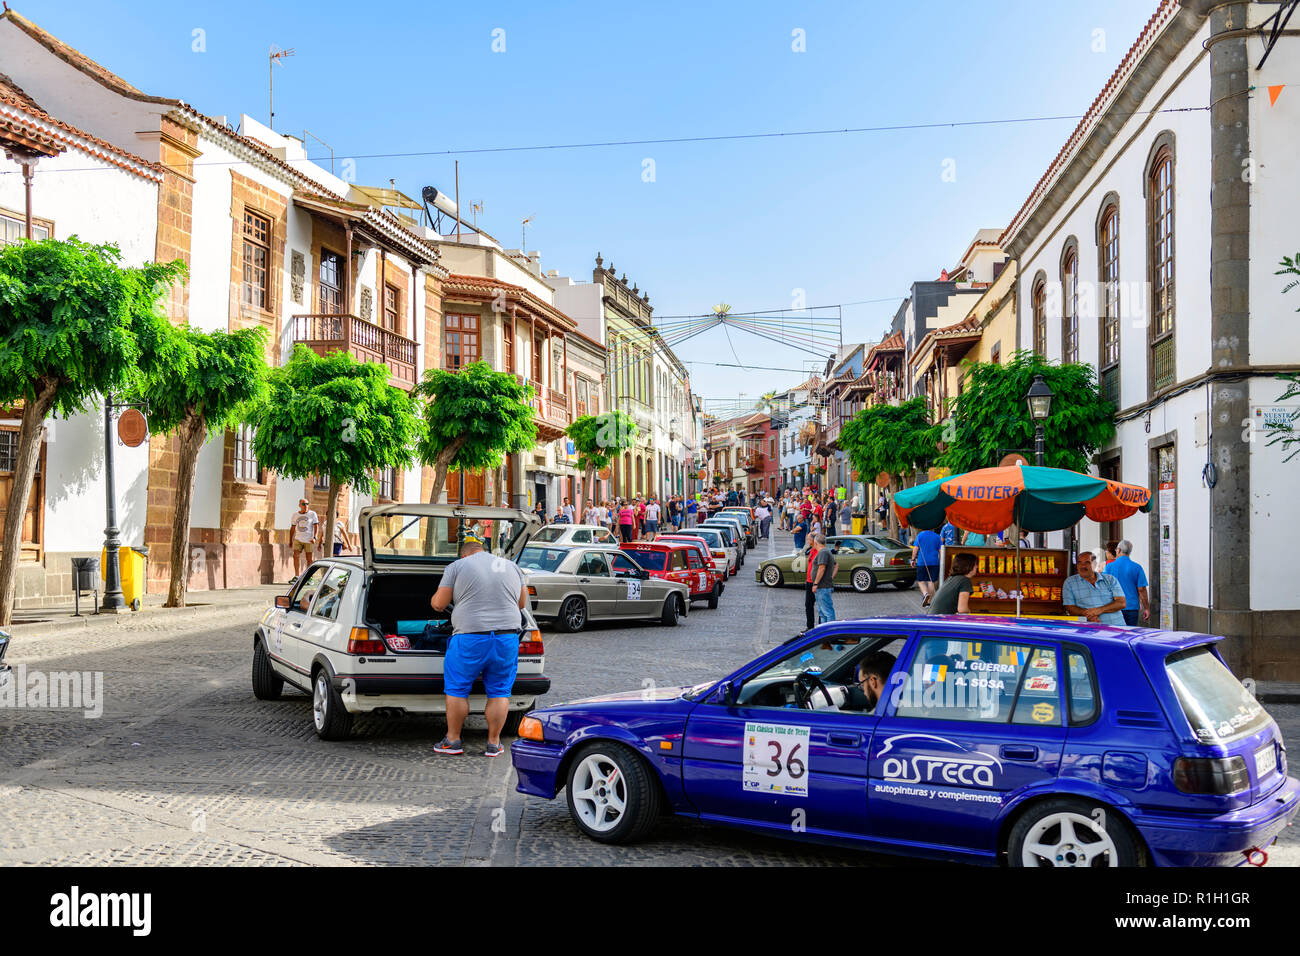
(361, 637)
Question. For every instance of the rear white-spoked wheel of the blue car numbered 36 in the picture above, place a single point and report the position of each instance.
(1072, 833)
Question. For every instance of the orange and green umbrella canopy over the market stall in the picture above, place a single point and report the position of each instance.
(991, 500)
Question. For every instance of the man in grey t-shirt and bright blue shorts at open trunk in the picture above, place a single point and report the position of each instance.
(488, 595)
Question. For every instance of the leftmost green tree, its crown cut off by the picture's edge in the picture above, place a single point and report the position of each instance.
(75, 325)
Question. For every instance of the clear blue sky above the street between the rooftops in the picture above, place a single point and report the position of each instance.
(844, 218)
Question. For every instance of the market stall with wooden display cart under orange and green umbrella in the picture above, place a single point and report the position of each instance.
(990, 501)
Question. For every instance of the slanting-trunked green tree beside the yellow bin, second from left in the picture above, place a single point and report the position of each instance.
(215, 391)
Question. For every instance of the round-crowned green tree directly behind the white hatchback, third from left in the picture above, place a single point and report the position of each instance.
(335, 417)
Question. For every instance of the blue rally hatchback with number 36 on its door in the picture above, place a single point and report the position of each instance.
(976, 739)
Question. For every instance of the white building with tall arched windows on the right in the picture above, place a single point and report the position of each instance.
(1150, 250)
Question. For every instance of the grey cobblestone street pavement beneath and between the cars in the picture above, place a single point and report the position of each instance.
(185, 767)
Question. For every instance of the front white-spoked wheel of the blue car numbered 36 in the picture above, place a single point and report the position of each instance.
(610, 794)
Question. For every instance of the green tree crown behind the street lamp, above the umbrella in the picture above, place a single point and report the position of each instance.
(991, 418)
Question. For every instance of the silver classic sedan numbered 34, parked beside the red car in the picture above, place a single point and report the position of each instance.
(573, 585)
